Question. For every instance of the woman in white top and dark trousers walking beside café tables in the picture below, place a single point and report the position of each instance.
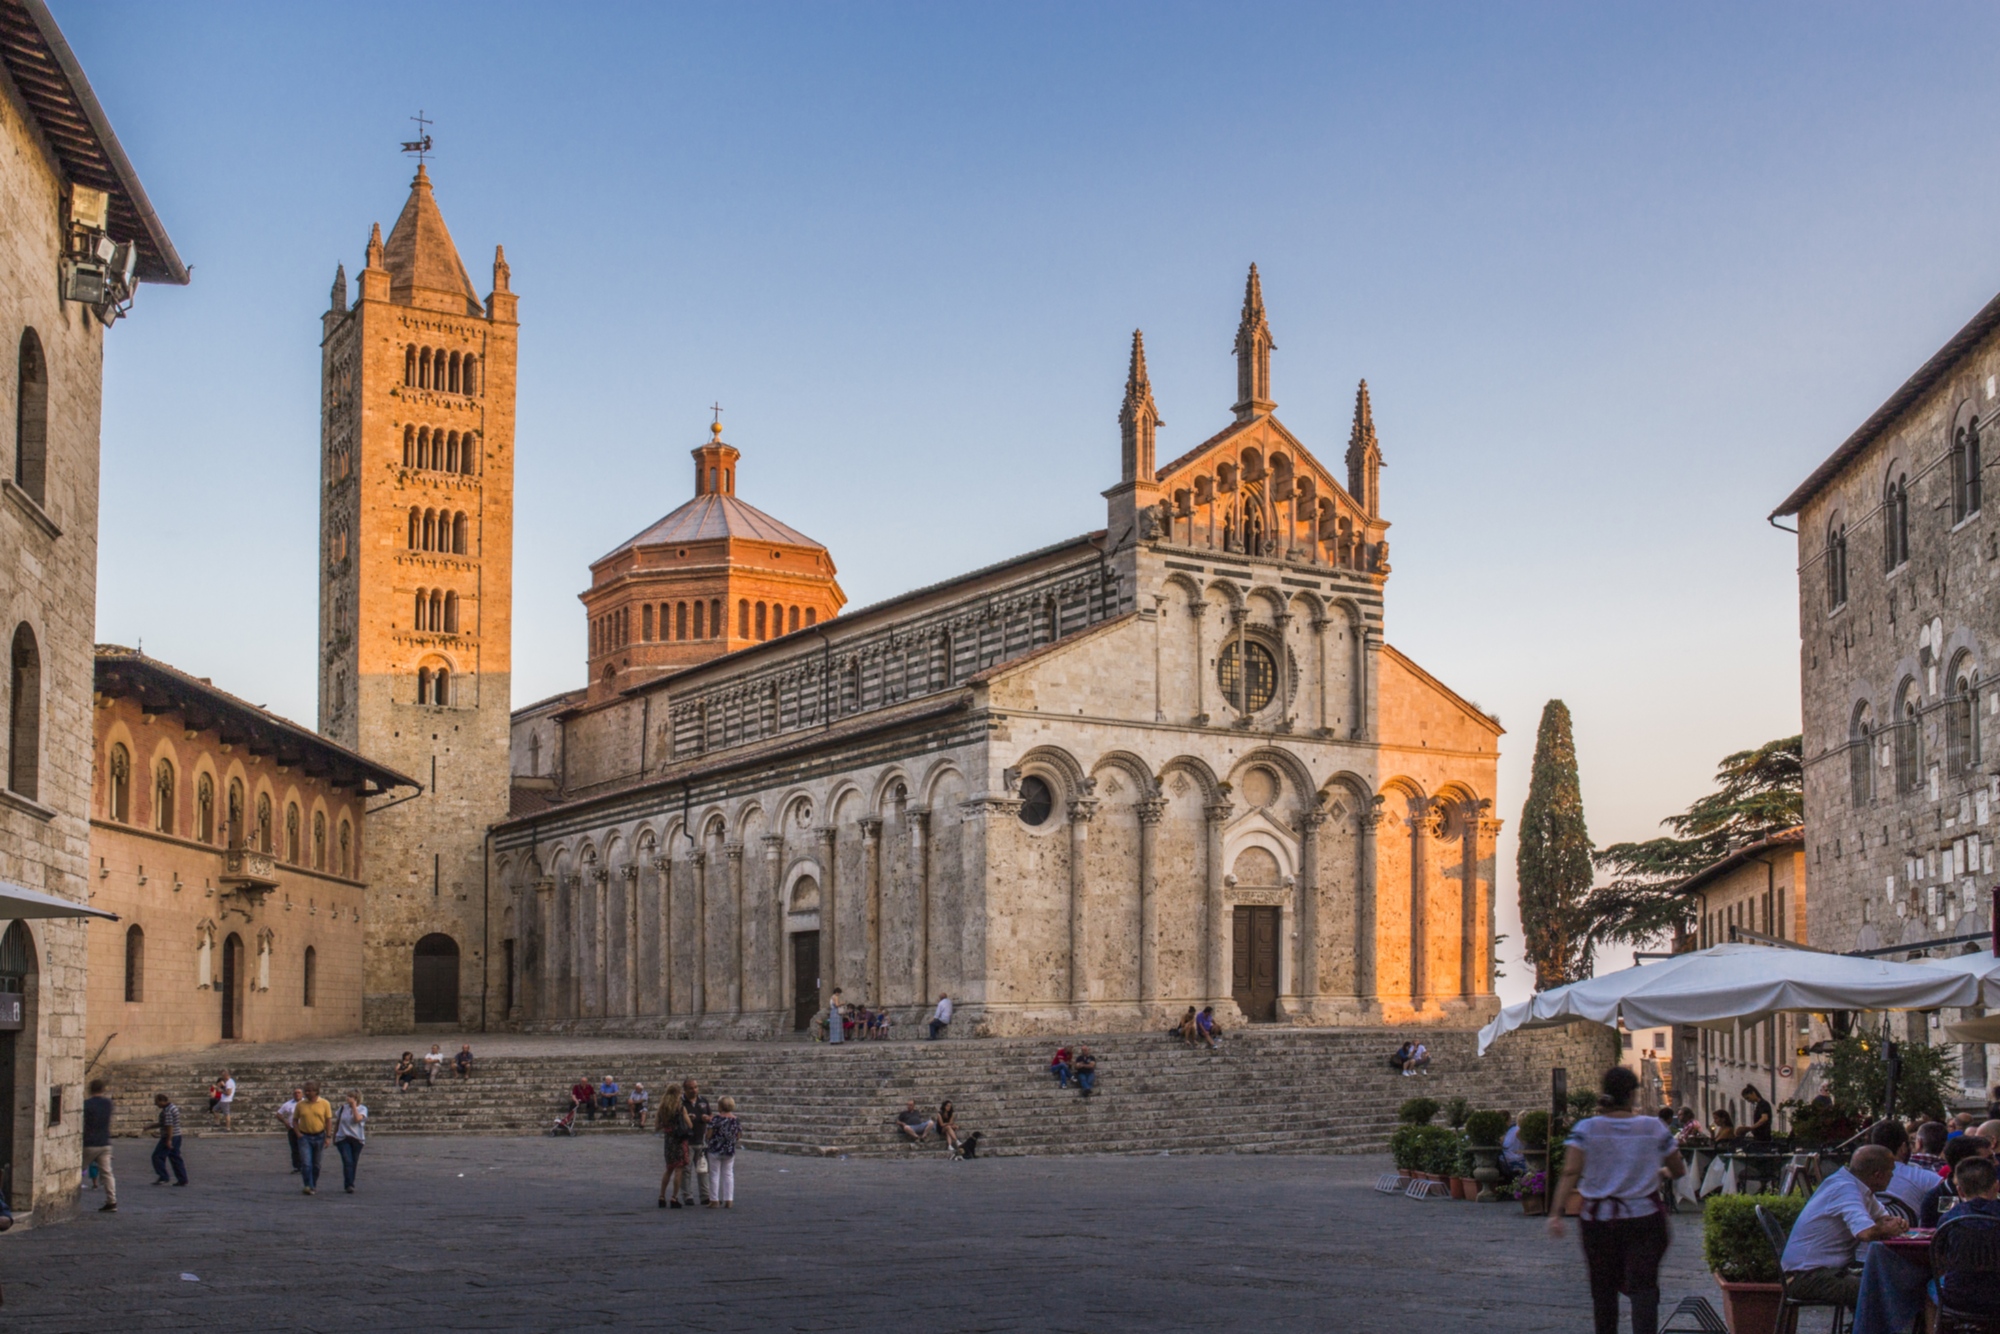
(1617, 1161)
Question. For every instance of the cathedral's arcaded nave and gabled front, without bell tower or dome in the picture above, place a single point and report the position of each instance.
(1161, 765)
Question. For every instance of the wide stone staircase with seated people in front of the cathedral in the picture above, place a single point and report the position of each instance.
(1265, 1091)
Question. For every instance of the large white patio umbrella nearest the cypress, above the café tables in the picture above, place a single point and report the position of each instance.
(1739, 983)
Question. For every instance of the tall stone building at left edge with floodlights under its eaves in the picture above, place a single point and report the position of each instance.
(77, 235)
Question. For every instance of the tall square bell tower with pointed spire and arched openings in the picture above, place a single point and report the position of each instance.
(417, 549)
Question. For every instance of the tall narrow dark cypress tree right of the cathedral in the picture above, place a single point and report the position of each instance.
(1555, 857)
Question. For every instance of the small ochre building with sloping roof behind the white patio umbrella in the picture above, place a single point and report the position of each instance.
(1757, 889)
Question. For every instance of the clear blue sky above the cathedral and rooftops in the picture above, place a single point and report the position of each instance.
(1617, 279)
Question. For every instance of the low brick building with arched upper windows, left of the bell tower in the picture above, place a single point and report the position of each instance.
(233, 847)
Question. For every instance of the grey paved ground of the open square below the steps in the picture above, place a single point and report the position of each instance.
(535, 1235)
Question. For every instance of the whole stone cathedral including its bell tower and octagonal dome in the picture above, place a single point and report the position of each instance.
(1163, 765)
